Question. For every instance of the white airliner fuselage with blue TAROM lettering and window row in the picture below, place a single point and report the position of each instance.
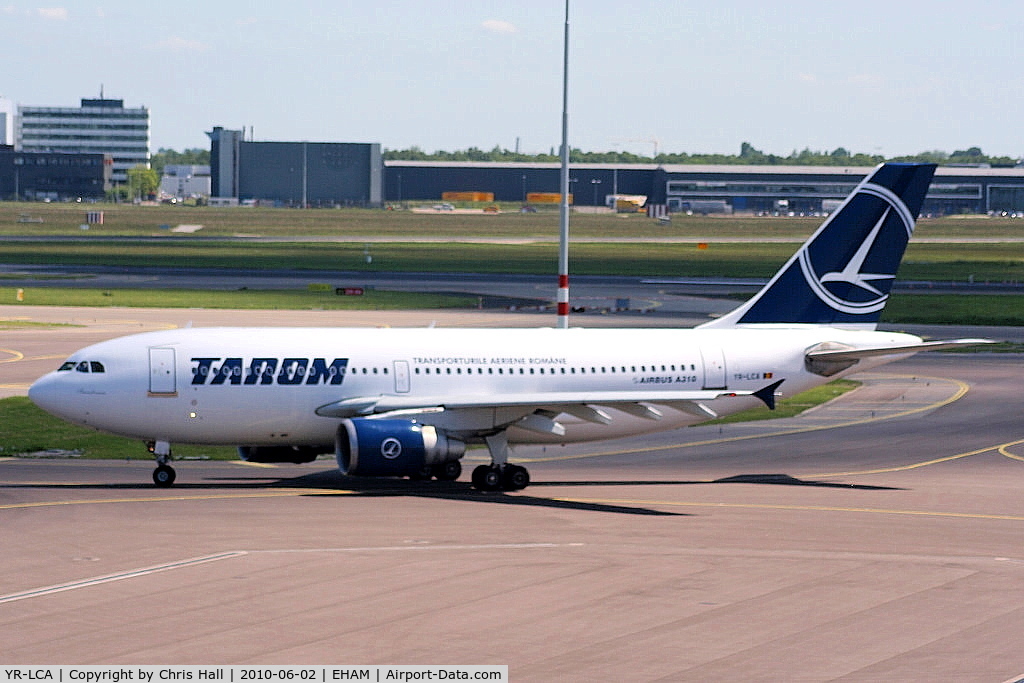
(263, 387)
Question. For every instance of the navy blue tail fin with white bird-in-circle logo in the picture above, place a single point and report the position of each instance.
(843, 274)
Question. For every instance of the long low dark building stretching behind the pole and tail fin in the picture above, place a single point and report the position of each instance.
(727, 189)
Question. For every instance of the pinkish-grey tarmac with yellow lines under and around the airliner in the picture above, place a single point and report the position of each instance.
(879, 538)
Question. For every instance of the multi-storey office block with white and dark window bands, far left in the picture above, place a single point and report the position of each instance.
(99, 126)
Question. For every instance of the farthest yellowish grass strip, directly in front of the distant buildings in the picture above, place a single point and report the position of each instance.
(129, 220)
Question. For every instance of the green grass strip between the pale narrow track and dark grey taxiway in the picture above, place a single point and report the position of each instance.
(980, 263)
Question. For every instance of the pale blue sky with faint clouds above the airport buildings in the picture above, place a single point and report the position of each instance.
(891, 78)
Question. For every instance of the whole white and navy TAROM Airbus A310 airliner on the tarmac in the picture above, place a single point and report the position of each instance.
(407, 402)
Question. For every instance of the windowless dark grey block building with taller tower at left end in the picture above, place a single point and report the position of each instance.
(314, 175)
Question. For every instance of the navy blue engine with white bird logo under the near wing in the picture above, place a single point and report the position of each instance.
(392, 448)
